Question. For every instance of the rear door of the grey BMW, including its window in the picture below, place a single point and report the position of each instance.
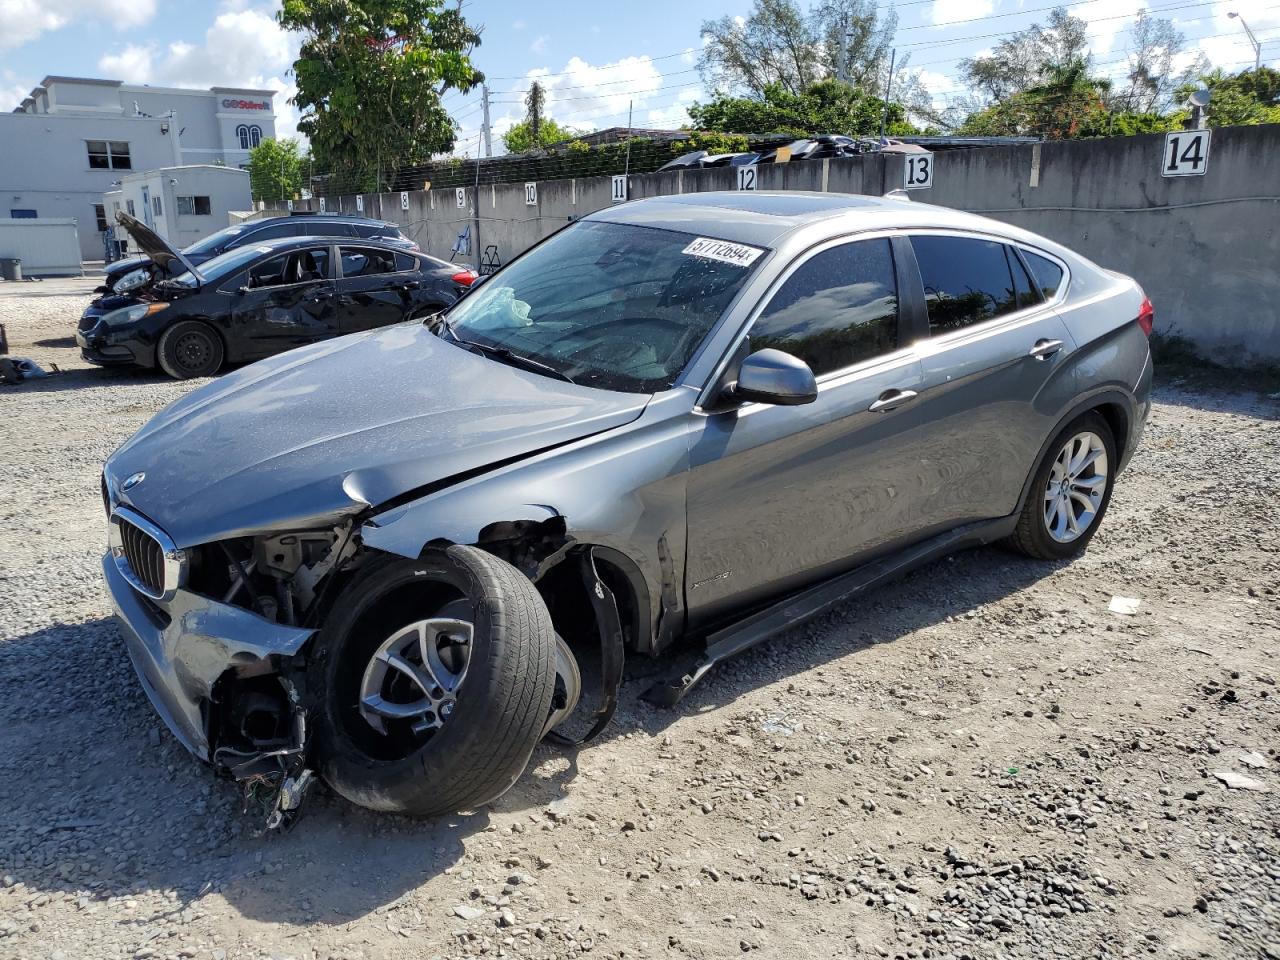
(996, 374)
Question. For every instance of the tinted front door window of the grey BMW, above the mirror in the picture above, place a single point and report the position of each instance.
(840, 308)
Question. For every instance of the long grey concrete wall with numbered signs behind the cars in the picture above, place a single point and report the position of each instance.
(1206, 249)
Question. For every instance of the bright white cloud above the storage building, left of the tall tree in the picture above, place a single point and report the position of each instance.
(244, 48)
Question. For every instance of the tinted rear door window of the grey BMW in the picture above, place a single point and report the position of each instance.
(966, 281)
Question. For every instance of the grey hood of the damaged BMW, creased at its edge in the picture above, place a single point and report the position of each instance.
(327, 429)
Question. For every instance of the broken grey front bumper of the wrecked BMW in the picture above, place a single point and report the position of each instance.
(184, 648)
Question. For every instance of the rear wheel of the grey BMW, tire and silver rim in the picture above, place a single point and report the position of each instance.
(1044, 524)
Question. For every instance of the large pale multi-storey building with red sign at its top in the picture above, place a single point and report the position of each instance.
(72, 140)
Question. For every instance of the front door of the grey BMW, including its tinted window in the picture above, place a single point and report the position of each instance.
(780, 497)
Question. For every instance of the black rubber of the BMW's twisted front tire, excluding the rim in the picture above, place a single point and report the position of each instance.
(502, 703)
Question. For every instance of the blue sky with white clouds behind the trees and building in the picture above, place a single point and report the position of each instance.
(593, 58)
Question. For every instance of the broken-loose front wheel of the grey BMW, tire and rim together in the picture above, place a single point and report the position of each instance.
(432, 683)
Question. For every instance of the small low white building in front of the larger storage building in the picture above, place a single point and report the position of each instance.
(182, 204)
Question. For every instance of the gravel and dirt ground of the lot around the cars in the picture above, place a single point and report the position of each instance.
(977, 762)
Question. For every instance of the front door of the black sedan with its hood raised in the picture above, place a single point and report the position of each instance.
(287, 303)
